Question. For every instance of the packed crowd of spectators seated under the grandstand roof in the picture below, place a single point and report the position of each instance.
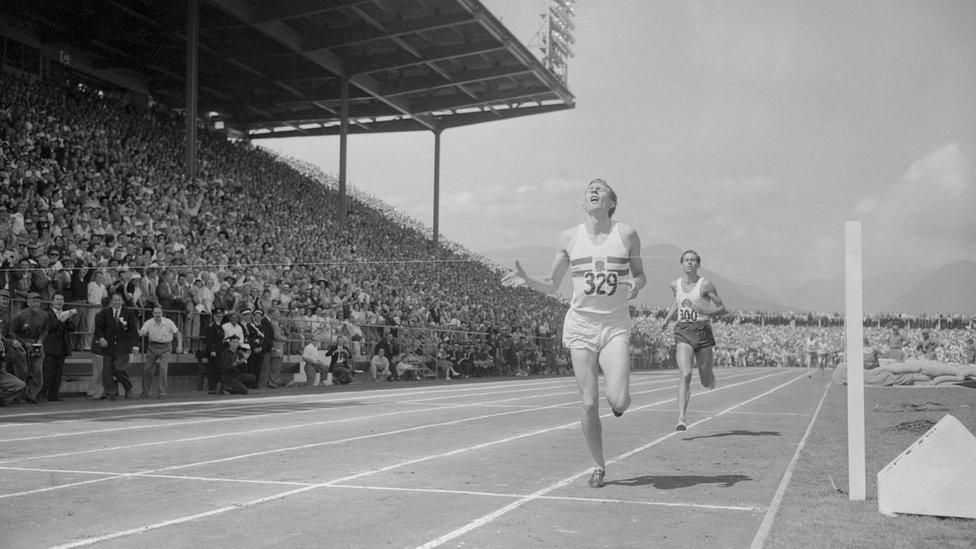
(94, 201)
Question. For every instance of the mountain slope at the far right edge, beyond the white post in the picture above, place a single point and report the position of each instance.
(951, 289)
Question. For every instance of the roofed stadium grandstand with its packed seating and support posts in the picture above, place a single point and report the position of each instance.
(101, 195)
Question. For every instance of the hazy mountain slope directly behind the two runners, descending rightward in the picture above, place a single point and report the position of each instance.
(660, 265)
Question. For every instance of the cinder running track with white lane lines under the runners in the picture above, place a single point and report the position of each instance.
(490, 464)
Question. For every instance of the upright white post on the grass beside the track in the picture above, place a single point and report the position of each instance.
(855, 362)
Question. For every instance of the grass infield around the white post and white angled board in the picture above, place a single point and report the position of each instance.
(816, 511)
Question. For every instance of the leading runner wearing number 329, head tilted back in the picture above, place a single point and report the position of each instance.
(603, 257)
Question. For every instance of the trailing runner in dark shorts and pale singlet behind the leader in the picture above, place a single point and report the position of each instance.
(693, 334)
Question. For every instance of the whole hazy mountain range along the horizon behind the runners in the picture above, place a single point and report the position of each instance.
(948, 289)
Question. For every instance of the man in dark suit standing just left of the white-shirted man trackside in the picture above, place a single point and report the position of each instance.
(115, 334)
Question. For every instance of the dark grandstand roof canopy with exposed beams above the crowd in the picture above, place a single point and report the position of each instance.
(272, 68)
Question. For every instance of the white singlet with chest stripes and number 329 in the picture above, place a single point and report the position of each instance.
(596, 271)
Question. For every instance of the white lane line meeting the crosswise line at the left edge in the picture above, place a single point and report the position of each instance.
(313, 424)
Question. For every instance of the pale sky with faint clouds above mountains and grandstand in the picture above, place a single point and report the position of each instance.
(747, 130)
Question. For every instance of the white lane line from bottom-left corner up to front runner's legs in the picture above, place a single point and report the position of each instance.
(240, 505)
